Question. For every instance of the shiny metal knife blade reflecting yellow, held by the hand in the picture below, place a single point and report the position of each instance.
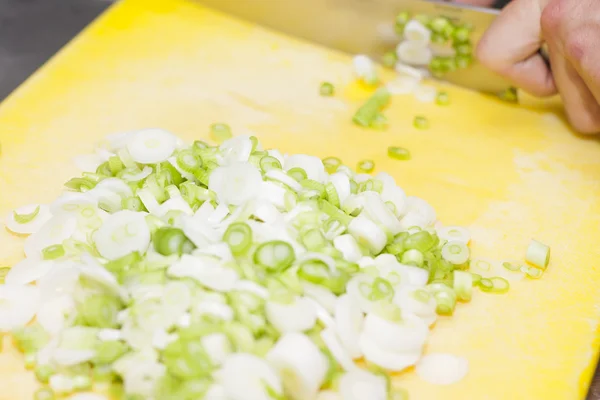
(365, 26)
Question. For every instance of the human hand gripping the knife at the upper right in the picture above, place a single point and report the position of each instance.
(571, 30)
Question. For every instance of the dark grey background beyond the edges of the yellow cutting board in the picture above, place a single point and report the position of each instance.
(31, 31)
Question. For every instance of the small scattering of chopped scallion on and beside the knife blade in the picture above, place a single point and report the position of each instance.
(428, 45)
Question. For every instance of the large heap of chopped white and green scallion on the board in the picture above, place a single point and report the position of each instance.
(173, 271)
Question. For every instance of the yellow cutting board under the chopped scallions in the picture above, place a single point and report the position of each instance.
(509, 173)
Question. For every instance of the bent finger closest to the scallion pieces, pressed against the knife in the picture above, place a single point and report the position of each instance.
(510, 48)
